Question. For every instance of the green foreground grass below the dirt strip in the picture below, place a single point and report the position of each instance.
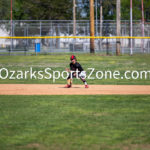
(74, 122)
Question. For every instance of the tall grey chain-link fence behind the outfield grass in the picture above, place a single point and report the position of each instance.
(65, 28)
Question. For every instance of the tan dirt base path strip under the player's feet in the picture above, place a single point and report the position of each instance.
(50, 89)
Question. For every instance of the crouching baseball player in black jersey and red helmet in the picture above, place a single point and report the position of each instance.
(75, 71)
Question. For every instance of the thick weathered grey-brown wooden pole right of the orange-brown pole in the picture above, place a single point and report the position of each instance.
(118, 44)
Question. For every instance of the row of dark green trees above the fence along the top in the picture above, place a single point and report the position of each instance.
(62, 9)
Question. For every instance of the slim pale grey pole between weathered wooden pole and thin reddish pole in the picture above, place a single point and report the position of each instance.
(131, 29)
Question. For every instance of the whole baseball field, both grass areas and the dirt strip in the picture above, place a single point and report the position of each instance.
(34, 117)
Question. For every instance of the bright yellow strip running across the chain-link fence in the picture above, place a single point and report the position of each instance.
(73, 37)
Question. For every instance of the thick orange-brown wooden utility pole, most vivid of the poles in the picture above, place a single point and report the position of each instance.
(92, 26)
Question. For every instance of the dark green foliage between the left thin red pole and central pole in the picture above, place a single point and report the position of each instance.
(43, 9)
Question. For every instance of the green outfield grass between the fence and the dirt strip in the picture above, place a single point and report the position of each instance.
(60, 62)
